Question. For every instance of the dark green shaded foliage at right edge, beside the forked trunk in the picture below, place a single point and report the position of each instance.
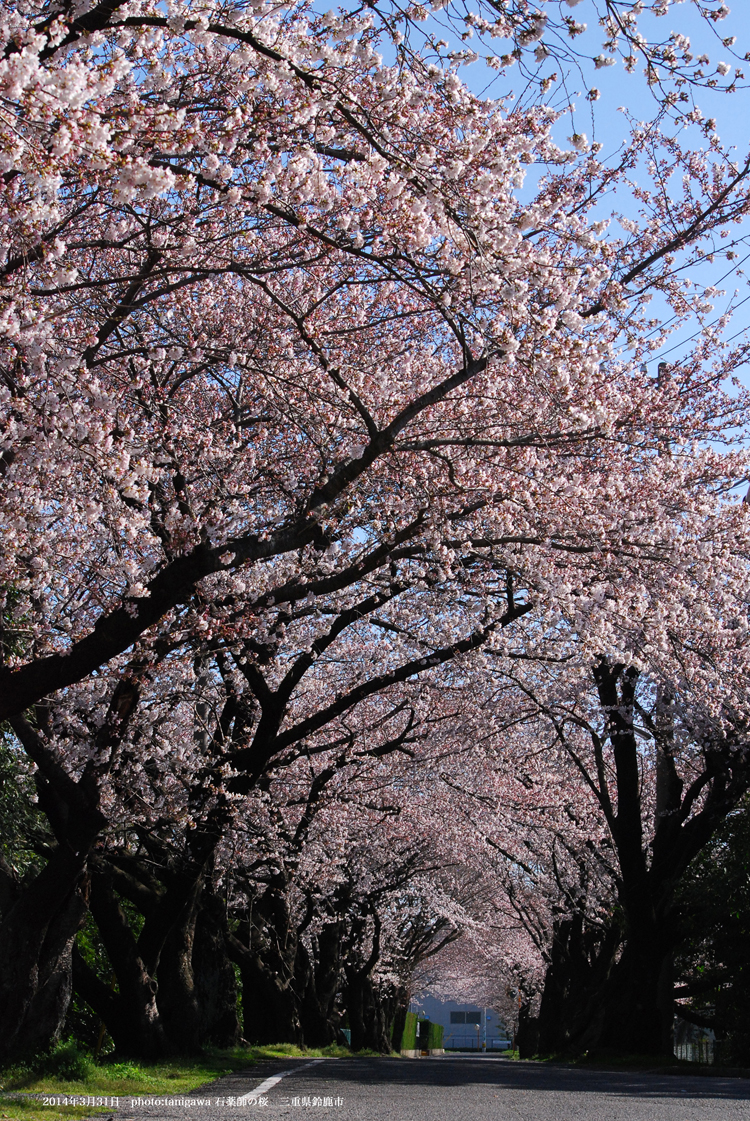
(714, 963)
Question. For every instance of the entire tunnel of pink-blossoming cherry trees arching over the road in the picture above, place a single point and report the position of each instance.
(331, 439)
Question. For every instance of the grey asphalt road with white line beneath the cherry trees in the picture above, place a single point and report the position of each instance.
(451, 1089)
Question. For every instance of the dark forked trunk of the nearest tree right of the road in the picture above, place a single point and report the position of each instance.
(594, 999)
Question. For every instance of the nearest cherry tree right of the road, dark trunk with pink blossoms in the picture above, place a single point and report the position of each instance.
(595, 799)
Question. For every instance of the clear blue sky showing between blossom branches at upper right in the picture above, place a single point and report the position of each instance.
(605, 122)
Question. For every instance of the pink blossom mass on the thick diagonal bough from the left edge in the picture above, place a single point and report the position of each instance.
(166, 439)
